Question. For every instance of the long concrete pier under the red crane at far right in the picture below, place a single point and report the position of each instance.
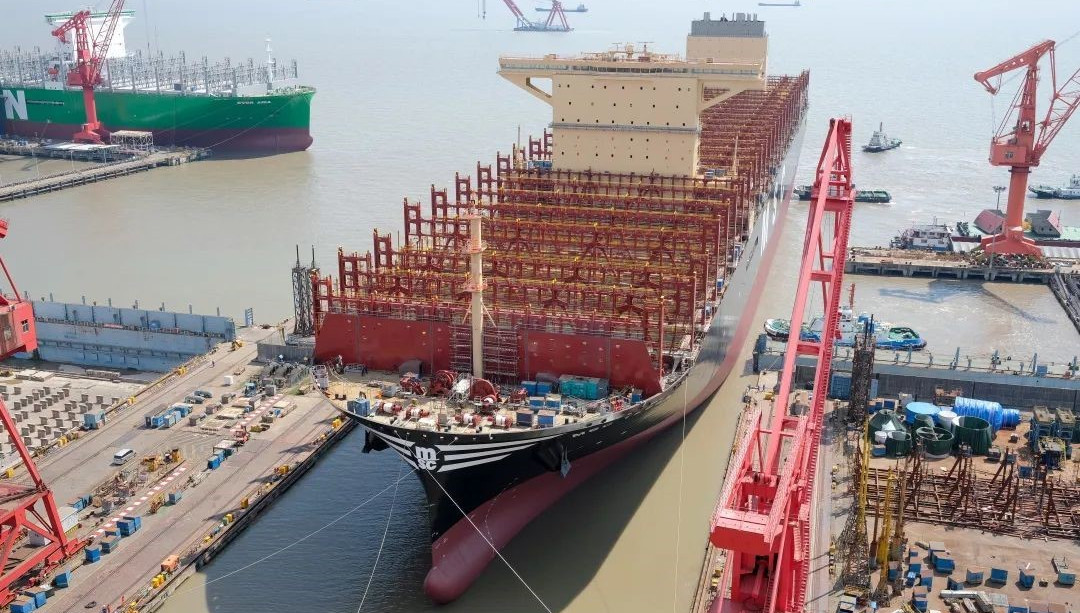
(910, 263)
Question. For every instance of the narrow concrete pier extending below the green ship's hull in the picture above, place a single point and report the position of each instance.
(115, 165)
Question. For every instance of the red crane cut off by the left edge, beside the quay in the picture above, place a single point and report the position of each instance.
(25, 509)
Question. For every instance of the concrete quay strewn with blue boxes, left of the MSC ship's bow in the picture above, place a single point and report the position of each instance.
(192, 485)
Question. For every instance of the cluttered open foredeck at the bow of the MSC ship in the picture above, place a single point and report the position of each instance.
(393, 406)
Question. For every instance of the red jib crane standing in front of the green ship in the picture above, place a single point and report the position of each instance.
(90, 57)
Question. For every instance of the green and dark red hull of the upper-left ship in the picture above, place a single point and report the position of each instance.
(274, 124)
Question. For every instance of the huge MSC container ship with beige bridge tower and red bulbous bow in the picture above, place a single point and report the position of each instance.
(579, 297)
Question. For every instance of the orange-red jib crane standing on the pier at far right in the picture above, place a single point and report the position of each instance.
(1021, 145)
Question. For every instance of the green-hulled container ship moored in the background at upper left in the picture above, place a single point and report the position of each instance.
(248, 107)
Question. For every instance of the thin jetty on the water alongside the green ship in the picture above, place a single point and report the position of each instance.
(100, 173)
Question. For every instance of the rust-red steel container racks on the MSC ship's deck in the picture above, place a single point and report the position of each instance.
(617, 260)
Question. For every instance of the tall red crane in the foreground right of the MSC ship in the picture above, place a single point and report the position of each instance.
(764, 514)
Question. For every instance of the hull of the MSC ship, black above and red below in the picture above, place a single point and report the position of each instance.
(465, 473)
